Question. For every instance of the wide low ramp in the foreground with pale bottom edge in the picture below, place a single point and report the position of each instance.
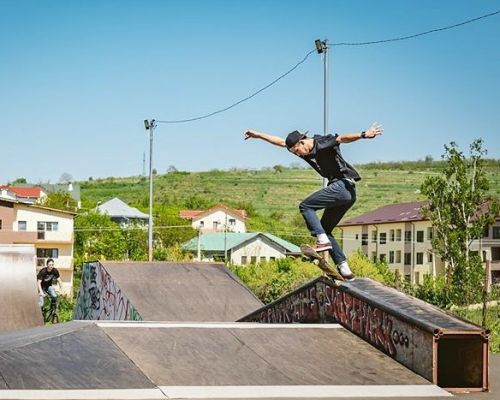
(121, 360)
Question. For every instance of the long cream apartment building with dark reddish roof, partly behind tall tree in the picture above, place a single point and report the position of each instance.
(400, 235)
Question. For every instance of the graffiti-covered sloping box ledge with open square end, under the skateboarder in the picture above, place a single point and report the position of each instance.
(442, 348)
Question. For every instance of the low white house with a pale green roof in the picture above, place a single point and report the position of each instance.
(241, 248)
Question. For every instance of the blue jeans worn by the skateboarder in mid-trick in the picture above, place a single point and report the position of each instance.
(335, 199)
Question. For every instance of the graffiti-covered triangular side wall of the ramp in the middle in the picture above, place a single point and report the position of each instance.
(100, 297)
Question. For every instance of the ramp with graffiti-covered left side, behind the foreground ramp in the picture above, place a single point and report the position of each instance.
(162, 291)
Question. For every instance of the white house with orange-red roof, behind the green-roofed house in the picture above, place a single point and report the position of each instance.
(217, 219)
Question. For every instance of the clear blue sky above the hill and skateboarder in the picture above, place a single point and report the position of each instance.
(78, 78)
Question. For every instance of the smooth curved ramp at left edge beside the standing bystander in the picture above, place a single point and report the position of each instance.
(18, 289)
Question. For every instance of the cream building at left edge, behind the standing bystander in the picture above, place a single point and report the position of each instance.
(50, 231)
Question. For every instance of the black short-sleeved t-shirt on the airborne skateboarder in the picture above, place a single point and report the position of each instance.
(327, 160)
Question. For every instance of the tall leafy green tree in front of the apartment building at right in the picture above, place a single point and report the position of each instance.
(459, 212)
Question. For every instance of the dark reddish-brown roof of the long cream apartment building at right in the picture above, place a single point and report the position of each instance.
(402, 212)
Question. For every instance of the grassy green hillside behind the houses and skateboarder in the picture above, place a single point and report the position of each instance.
(270, 195)
